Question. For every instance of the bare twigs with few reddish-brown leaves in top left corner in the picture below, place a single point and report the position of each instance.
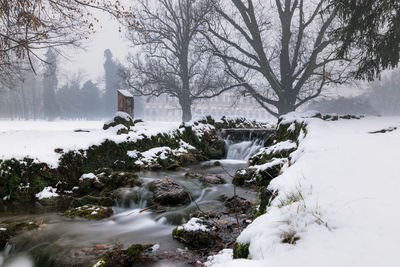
(29, 26)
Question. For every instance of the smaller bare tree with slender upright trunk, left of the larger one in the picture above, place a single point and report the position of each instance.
(173, 59)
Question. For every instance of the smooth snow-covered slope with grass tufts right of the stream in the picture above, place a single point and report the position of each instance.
(340, 197)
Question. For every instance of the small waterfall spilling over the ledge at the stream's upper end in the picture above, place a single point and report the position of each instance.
(243, 150)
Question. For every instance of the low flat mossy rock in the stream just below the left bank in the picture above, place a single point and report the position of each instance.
(90, 212)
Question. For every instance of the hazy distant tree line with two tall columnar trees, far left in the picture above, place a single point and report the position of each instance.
(40, 97)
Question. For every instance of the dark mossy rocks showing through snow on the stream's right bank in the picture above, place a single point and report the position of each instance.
(279, 153)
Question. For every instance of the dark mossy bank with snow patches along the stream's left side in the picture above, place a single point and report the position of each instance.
(22, 180)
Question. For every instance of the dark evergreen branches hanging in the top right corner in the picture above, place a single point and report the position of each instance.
(373, 29)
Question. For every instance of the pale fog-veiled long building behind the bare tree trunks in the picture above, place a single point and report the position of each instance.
(166, 108)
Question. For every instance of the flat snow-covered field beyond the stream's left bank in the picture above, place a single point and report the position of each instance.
(38, 139)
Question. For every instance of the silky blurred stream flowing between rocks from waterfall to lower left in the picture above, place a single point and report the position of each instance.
(77, 240)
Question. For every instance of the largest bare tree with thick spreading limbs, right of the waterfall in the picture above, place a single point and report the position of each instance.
(282, 53)
